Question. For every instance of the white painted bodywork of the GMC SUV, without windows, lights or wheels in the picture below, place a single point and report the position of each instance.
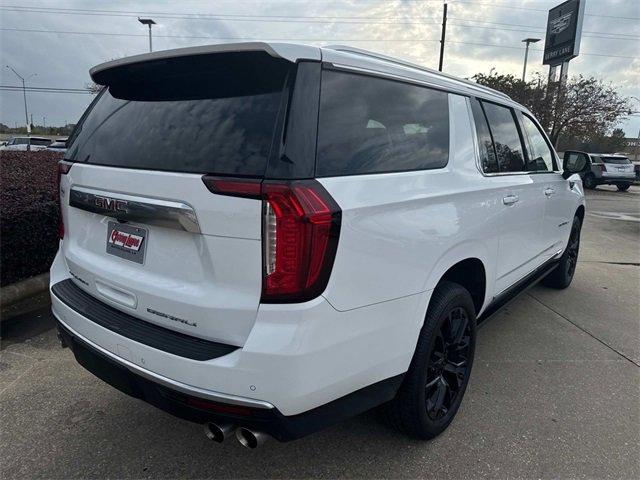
(400, 233)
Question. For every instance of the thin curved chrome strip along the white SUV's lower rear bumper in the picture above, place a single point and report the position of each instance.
(169, 383)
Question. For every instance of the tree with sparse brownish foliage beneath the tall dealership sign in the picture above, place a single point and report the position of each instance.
(582, 108)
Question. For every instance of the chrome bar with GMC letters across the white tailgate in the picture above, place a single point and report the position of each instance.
(151, 211)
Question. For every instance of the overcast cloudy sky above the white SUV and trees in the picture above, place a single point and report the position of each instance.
(60, 40)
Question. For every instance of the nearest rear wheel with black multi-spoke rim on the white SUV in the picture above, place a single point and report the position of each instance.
(433, 387)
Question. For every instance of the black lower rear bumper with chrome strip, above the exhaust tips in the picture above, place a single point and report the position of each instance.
(200, 406)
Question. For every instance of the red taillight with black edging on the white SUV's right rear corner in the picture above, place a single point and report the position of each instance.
(300, 231)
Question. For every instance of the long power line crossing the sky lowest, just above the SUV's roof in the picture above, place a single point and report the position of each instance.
(412, 40)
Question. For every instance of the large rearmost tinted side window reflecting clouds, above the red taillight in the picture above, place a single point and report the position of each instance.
(372, 125)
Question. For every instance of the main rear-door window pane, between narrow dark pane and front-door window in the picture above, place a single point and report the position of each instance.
(505, 137)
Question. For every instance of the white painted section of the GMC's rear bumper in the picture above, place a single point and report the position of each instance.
(297, 357)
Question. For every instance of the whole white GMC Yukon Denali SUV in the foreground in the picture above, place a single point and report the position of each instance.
(269, 238)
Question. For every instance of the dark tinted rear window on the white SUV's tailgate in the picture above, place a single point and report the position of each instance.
(206, 114)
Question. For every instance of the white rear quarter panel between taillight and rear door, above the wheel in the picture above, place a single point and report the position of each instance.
(401, 231)
